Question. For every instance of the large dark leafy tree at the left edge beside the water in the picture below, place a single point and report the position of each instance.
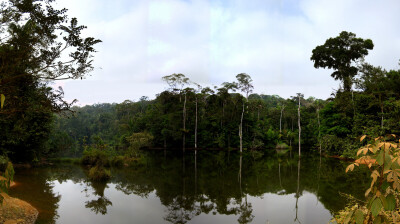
(38, 44)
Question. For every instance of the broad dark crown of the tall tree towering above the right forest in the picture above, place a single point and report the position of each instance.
(339, 53)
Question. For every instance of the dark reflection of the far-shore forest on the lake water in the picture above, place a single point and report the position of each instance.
(220, 186)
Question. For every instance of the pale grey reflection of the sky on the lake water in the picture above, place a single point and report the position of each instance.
(270, 208)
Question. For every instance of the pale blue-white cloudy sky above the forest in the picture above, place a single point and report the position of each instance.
(210, 42)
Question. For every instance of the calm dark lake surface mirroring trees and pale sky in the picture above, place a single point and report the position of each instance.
(214, 187)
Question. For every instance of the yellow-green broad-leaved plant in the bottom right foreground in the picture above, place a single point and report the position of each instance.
(382, 157)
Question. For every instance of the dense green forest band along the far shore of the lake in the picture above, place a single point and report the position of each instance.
(268, 120)
